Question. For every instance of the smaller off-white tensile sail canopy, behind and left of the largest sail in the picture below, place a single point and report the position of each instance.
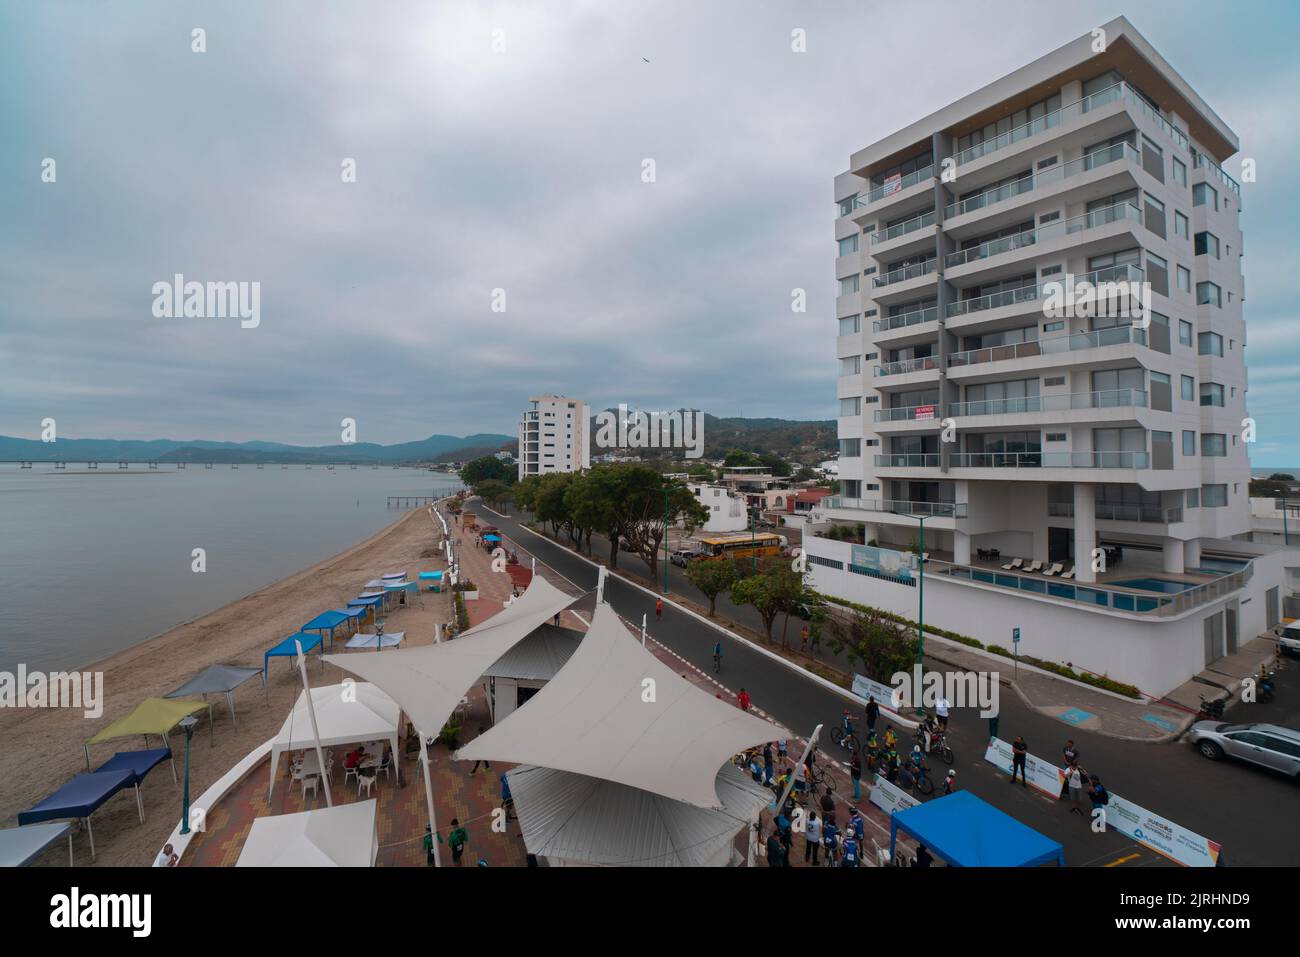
(430, 682)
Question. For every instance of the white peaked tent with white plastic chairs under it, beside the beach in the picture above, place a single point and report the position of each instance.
(345, 714)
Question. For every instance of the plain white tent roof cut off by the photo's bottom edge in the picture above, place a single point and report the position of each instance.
(341, 837)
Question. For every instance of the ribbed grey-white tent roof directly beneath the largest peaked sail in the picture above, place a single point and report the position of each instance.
(574, 819)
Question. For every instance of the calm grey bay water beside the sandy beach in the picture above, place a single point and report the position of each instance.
(96, 562)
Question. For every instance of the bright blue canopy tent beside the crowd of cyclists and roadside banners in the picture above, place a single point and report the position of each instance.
(968, 833)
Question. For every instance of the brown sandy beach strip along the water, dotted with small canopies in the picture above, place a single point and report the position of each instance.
(44, 748)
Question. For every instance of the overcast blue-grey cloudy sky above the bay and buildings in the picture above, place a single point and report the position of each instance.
(517, 170)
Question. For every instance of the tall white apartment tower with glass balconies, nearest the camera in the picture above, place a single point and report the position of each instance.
(1021, 430)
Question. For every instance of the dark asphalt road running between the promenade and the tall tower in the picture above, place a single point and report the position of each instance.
(1250, 812)
